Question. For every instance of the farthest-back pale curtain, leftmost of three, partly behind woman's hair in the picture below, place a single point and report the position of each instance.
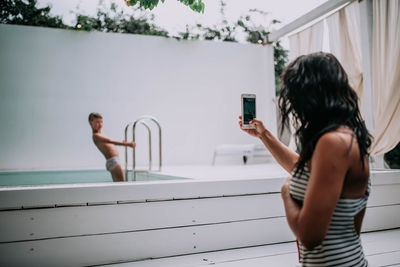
(304, 42)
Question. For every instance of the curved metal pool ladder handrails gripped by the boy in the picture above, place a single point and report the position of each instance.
(142, 120)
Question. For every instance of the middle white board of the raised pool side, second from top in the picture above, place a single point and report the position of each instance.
(73, 221)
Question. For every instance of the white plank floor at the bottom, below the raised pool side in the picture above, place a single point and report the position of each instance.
(382, 248)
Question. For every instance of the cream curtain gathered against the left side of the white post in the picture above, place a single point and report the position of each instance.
(345, 43)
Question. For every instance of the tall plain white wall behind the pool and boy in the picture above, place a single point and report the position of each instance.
(51, 79)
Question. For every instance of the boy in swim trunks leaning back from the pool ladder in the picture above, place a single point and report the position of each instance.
(107, 147)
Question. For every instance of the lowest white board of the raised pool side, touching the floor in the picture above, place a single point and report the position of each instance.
(102, 249)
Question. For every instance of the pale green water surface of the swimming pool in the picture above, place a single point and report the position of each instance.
(30, 178)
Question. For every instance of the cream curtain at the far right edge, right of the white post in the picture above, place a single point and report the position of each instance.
(386, 75)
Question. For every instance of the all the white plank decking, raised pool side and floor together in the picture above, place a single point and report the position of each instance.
(236, 211)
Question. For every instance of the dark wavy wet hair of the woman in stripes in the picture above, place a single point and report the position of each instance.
(317, 93)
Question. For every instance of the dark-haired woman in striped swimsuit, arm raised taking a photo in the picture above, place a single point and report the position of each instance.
(326, 196)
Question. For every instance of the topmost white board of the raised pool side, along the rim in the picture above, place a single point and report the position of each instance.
(132, 192)
